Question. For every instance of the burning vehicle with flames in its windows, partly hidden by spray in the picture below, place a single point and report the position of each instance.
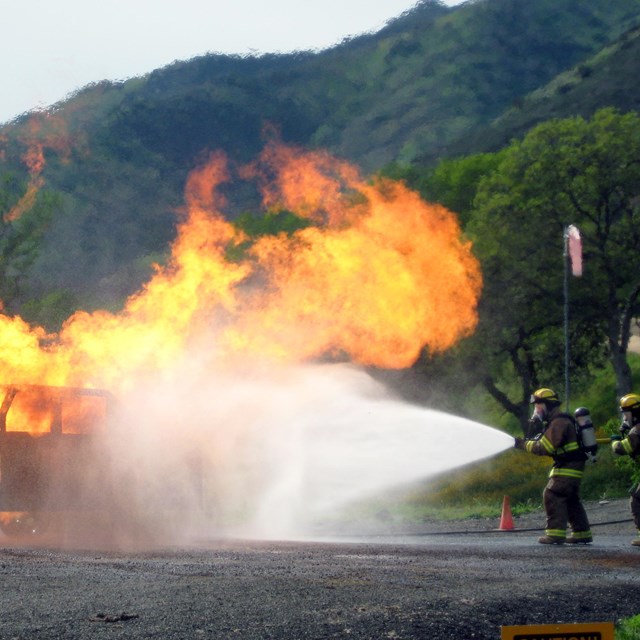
(50, 458)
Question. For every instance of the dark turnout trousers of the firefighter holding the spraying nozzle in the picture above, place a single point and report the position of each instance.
(562, 505)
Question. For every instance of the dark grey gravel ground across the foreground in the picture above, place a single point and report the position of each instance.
(418, 582)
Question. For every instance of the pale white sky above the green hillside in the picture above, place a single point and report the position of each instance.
(51, 48)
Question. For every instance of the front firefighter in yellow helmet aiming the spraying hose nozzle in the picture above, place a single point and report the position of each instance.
(561, 496)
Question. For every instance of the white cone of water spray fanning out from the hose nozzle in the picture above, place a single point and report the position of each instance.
(269, 452)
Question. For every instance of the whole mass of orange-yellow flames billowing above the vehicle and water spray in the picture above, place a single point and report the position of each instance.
(380, 275)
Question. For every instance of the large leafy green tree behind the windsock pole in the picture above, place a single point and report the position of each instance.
(563, 172)
